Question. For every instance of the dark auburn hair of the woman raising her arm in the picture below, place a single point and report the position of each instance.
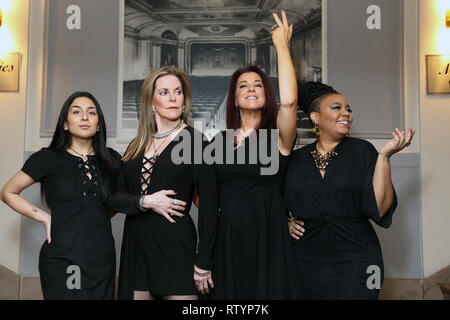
(269, 111)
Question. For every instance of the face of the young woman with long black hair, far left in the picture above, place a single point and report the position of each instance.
(82, 118)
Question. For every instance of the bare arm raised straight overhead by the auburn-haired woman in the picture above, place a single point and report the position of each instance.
(287, 82)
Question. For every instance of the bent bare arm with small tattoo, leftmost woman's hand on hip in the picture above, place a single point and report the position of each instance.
(10, 194)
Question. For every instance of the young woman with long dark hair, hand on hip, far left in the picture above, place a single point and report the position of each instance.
(77, 175)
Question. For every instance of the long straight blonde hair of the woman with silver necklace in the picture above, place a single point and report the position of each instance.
(147, 124)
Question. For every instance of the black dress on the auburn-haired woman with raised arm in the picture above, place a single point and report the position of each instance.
(253, 254)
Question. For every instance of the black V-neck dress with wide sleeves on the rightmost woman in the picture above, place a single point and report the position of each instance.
(339, 244)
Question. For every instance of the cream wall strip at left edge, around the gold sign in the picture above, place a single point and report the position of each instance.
(12, 128)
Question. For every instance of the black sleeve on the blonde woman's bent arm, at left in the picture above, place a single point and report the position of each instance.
(123, 201)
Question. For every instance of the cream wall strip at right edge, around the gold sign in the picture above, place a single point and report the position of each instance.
(434, 141)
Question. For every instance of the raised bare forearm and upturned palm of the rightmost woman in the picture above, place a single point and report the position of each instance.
(382, 182)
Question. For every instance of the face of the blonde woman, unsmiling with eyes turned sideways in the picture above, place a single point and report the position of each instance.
(168, 98)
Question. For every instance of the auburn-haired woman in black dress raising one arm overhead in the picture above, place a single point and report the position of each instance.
(253, 258)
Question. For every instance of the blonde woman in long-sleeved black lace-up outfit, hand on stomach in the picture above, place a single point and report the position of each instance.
(155, 191)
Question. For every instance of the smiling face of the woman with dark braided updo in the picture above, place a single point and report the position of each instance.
(335, 116)
